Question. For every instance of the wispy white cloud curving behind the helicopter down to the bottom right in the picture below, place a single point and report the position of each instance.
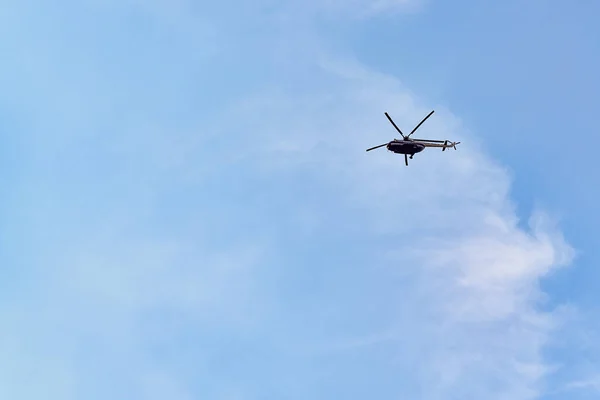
(469, 309)
